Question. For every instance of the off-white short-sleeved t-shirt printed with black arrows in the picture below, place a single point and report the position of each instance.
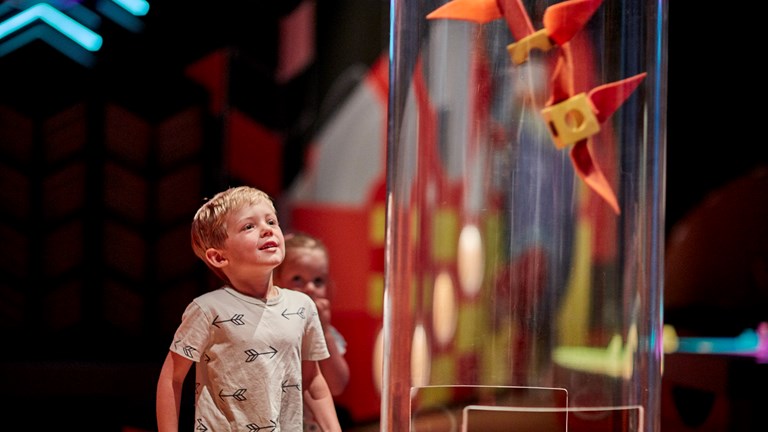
(249, 354)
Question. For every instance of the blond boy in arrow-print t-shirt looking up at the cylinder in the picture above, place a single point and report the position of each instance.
(256, 346)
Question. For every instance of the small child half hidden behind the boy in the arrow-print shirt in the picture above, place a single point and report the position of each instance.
(306, 269)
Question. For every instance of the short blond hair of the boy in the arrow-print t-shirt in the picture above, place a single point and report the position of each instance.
(209, 229)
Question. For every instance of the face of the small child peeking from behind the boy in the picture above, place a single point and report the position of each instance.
(306, 270)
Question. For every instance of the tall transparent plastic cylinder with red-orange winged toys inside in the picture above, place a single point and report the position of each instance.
(525, 204)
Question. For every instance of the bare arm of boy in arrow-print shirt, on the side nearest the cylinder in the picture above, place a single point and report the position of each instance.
(318, 397)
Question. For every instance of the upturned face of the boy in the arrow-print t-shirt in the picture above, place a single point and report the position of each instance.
(254, 238)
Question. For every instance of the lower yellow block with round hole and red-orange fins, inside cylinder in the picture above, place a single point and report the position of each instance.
(571, 121)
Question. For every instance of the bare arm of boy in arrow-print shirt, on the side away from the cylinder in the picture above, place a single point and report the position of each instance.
(169, 386)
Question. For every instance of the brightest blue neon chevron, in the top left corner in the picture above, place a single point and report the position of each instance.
(80, 34)
